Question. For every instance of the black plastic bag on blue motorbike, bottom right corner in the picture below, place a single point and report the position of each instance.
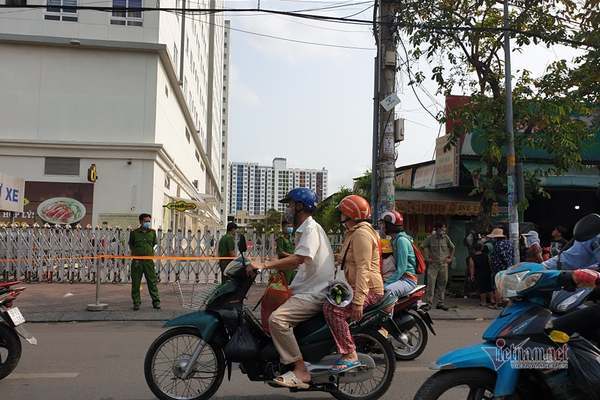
(584, 366)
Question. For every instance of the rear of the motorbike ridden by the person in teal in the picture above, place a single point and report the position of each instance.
(409, 327)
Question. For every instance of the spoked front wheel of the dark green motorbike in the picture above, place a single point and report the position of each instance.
(167, 359)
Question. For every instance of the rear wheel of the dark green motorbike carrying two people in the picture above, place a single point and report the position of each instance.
(382, 352)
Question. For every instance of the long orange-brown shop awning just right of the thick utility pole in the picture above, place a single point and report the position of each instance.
(430, 202)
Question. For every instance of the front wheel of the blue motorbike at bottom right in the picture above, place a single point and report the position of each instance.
(471, 384)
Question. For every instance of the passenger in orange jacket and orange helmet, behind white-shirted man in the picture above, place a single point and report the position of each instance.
(360, 265)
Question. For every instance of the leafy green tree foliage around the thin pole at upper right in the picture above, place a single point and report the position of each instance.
(553, 112)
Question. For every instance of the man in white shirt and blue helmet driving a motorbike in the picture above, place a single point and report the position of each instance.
(314, 260)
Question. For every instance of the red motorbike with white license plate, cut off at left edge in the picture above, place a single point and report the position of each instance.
(12, 327)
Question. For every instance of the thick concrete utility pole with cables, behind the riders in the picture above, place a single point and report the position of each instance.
(385, 167)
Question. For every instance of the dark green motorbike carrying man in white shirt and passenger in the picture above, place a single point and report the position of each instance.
(190, 359)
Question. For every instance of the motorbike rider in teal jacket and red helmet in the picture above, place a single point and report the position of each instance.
(404, 278)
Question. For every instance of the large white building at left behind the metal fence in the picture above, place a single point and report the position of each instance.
(139, 95)
